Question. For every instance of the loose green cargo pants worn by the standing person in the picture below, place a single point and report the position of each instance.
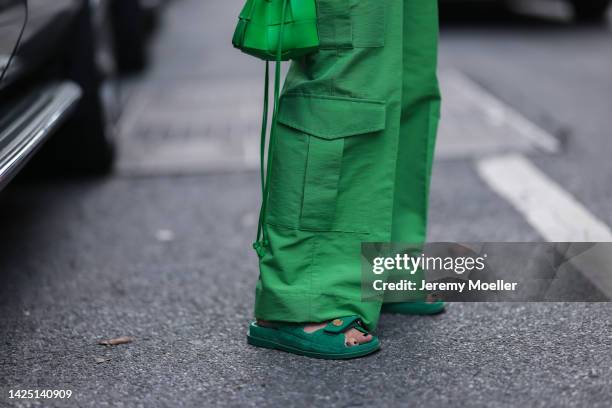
(353, 156)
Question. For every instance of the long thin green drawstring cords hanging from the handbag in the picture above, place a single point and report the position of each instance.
(261, 241)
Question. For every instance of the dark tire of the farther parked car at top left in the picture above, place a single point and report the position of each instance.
(130, 33)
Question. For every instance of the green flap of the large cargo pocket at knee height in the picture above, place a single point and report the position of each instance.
(331, 117)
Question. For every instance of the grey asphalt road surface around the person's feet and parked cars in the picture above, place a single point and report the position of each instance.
(161, 250)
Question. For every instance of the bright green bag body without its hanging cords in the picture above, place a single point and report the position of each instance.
(264, 23)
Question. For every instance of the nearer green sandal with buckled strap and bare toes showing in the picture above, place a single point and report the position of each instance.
(327, 343)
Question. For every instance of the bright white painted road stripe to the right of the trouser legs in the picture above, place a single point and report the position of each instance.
(553, 212)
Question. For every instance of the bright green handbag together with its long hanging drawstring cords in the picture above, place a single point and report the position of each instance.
(274, 30)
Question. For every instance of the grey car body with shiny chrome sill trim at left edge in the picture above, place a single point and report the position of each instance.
(33, 103)
